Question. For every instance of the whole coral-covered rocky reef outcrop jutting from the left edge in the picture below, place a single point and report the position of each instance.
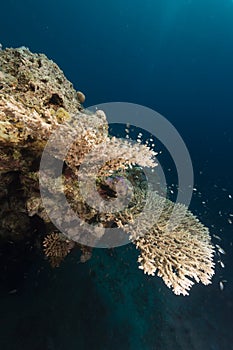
(35, 100)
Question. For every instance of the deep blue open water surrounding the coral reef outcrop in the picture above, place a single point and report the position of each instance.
(175, 57)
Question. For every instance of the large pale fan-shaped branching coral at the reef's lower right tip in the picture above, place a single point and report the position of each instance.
(180, 253)
